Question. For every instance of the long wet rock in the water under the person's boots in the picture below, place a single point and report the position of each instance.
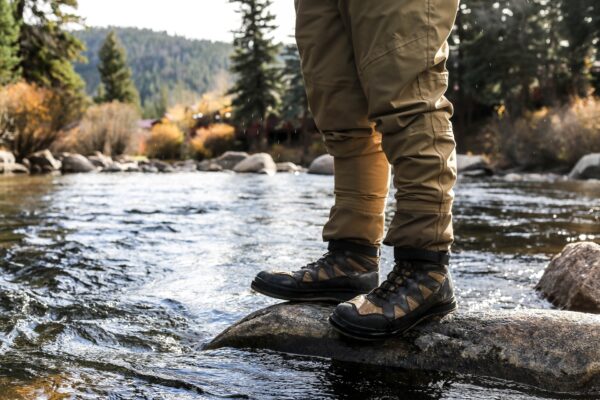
(554, 350)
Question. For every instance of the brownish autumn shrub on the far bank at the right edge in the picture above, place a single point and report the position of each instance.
(550, 138)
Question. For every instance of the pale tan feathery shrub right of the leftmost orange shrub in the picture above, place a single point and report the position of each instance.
(108, 128)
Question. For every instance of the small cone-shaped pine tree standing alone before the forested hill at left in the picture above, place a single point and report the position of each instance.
(115, 74)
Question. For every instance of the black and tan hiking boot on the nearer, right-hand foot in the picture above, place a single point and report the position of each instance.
(418, 288)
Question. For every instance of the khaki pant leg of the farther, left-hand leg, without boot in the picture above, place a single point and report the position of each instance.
(340, 108)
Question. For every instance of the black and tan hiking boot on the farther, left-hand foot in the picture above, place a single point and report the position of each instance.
(347, 270)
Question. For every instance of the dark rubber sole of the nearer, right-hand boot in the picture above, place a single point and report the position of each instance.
(434, 313)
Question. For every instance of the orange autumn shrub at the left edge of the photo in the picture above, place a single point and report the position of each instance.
(28, 118)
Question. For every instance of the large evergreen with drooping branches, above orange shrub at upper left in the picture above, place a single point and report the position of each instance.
(47, 50)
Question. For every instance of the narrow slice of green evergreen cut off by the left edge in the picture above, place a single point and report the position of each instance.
(9, 37)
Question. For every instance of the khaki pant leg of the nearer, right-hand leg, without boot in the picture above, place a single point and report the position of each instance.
(401, 50)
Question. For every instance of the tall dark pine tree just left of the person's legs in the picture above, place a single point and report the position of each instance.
(254, 65)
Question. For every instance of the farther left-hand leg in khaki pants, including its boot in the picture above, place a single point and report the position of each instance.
(355, 227)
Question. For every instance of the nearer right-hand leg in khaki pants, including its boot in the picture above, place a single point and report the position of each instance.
(401, 50)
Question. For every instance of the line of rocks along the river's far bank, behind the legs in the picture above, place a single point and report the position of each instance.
(469, 166)
